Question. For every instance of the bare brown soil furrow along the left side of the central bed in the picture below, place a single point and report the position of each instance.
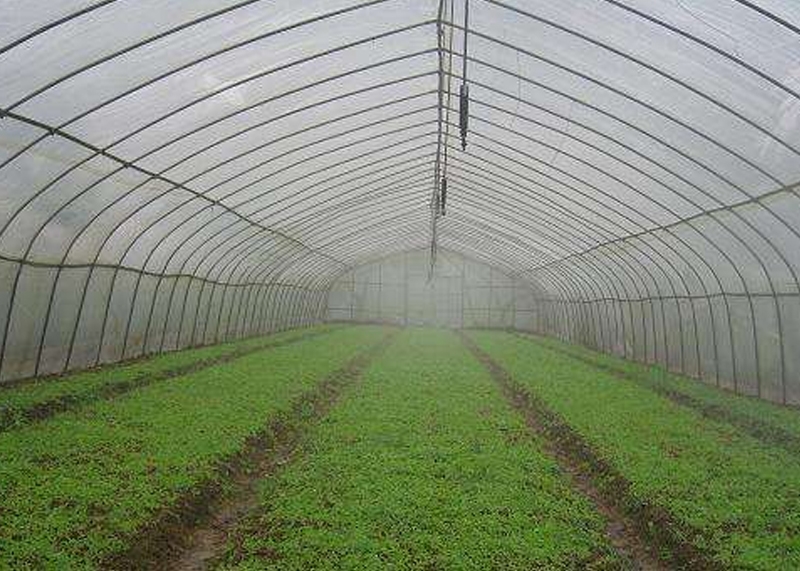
(191, 534)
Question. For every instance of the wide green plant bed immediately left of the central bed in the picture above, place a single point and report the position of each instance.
(78, 487)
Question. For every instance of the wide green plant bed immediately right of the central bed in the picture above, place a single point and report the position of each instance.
(733, 498)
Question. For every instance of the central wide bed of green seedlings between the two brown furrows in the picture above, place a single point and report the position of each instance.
(422, 466)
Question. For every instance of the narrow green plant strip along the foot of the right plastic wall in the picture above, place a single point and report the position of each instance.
(783, 420)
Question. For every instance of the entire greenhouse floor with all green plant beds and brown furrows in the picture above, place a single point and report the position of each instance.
(374, 448)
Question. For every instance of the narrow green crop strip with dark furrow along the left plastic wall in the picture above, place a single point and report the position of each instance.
(17, 401)
